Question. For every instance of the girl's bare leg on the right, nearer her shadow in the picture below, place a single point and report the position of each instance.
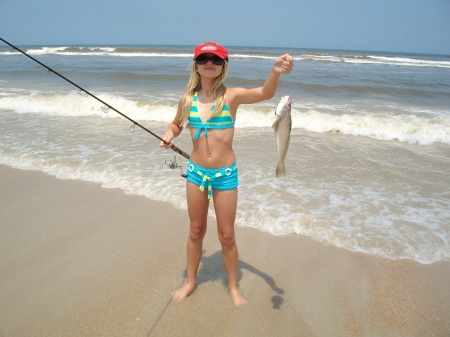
(225, 203)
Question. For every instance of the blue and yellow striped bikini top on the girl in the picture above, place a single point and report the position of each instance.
(224, 120)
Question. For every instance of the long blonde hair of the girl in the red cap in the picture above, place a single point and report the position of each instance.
(195, 85)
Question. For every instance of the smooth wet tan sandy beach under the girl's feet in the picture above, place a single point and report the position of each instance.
(80, 260)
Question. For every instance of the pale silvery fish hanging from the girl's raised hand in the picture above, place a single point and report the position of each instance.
(282, 126)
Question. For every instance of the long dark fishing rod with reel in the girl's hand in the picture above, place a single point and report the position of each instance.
(171, 163)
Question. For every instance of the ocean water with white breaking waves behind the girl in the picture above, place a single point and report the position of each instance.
(367, 167)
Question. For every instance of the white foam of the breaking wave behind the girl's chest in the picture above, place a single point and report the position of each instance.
(407, 127)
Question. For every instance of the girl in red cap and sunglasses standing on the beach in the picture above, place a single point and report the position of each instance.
(208, 109)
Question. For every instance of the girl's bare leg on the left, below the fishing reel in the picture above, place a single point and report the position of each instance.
(198, 203)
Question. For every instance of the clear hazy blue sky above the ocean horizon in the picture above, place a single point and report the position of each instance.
(410, 26)
